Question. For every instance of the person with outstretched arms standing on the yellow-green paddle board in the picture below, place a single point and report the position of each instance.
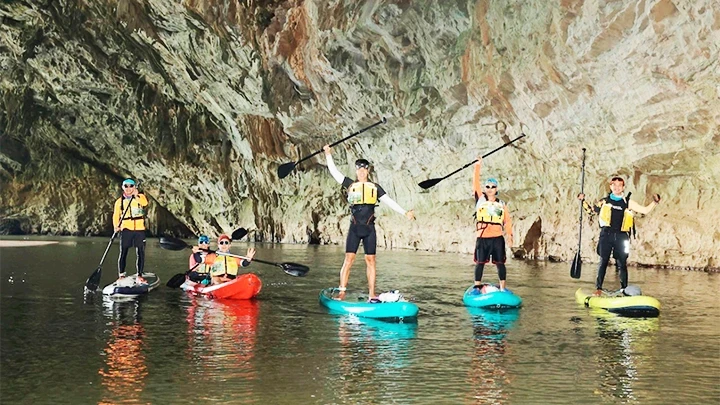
(616, 212)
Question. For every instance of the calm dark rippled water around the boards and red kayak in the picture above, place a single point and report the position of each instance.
(58, 347)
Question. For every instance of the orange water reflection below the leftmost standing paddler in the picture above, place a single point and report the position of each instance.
(125, 370)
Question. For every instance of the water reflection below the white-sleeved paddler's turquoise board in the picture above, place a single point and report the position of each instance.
(370, 348)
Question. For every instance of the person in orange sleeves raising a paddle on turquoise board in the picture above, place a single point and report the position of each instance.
(493, 223)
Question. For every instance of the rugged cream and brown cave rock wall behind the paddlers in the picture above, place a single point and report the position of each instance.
(202, 100)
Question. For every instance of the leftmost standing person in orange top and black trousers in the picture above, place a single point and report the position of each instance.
(131, 226)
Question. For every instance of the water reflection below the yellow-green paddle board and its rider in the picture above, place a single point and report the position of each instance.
(623, 343)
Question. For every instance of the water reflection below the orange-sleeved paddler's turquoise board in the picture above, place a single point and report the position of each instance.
(487, 374)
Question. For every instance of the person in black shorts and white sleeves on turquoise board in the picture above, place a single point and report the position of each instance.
(362, 196)
